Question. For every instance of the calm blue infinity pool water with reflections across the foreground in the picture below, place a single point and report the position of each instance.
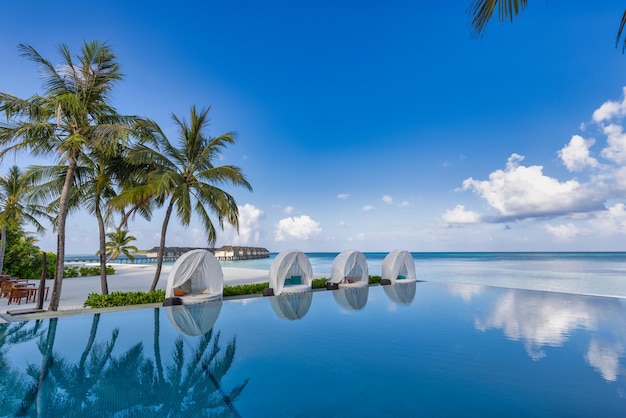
(426, 349)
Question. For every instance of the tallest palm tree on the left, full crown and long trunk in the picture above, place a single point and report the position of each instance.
(74, 118)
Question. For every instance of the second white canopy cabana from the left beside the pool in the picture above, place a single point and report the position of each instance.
(291, 272)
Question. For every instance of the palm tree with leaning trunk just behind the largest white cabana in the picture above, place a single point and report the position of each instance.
(186, 178)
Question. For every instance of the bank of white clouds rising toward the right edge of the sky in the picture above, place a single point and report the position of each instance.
(587, 205)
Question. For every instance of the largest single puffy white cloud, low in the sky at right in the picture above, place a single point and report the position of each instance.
(521, 192)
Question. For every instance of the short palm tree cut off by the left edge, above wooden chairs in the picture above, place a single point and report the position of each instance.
(15, 188)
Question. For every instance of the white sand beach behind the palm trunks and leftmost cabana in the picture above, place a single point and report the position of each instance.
(127, 278)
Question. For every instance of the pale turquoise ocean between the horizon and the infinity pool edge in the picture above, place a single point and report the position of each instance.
(588, 273)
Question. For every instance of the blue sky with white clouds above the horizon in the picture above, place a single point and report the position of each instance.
(370, 125)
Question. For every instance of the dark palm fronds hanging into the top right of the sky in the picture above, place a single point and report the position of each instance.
(481, 12)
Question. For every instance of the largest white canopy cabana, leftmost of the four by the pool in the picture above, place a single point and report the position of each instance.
(196, 277)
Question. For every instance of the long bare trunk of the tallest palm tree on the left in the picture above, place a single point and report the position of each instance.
(63, 209)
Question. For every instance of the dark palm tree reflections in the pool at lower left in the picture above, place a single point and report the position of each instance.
(125, 385)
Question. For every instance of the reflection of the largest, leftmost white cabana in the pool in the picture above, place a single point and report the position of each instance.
(194, 319)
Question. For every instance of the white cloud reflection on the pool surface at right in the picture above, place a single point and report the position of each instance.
(547, 319)
